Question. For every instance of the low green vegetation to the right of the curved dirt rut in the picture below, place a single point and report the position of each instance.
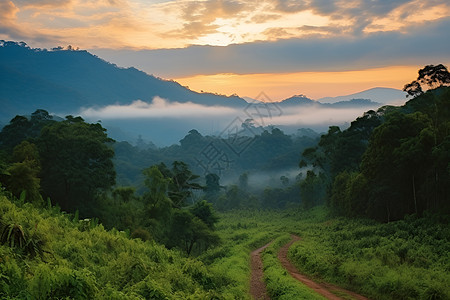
(407, 259)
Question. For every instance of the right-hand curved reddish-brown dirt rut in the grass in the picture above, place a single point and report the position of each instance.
(327, 290)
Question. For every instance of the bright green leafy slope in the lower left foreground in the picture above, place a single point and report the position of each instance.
(95, 263)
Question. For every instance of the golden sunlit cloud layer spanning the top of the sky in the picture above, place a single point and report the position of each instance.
(179, 23)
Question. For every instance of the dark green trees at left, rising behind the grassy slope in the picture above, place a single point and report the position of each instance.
(69, 163)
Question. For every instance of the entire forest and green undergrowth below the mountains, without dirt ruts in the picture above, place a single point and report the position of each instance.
(85, 217)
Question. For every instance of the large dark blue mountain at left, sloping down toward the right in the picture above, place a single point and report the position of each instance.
(63, 81)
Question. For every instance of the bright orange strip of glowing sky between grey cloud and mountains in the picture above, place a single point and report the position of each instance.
(314, 85)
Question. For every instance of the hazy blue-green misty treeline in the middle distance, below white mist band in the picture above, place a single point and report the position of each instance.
(252, 150)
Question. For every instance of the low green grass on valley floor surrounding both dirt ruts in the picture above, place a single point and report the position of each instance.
(407, 259)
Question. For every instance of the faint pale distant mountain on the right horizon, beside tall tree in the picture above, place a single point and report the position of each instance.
(381, 95)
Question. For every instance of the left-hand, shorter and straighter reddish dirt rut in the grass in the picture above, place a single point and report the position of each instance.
(257, 285)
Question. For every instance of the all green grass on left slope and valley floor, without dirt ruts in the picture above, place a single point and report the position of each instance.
(63, 256)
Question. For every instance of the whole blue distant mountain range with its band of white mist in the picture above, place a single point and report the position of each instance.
(76, 82)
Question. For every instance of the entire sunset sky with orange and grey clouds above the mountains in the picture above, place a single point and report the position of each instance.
(281, 47)
